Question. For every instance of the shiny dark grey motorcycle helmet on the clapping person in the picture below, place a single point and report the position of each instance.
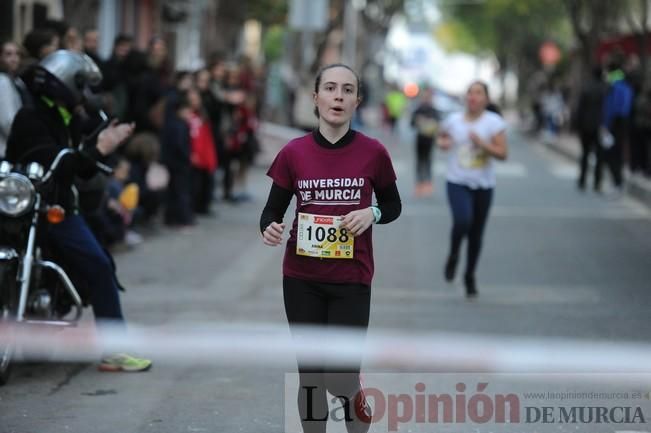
(64, 76)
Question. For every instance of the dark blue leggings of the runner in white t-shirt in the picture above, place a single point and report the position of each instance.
(470, 208)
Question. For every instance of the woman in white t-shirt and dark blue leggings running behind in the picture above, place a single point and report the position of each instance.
(473, 138)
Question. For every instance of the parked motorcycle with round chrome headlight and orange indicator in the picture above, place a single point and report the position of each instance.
(34, 290)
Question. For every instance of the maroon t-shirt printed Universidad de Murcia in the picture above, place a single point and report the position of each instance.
(332, 182)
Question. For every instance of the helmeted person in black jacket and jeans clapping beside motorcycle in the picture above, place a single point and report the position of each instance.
(52, 123)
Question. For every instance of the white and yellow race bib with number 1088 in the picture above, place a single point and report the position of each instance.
(322, 236)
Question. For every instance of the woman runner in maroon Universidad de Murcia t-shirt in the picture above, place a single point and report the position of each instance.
(328, 264)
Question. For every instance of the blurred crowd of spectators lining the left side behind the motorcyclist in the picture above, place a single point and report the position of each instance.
(195, 131)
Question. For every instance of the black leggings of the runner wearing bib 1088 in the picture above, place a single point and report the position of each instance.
(324, 304)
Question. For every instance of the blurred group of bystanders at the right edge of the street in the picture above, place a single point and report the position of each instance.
(611, 116)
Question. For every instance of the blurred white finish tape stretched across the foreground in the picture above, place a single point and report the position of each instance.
(272, 345)
